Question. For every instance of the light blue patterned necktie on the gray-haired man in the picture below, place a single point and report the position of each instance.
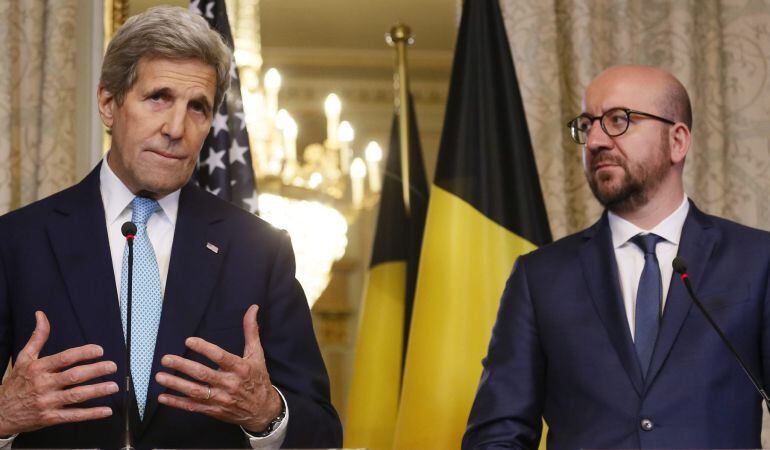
(146, 299)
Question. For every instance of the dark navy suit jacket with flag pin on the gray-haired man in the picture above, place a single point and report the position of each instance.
(55, 257)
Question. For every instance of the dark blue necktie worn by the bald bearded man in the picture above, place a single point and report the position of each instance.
(648, 300)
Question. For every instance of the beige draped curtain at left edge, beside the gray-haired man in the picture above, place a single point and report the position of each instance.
(37, 99)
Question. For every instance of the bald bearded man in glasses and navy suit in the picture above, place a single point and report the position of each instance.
(596, 335)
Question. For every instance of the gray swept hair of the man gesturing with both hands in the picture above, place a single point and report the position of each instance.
(164, 32)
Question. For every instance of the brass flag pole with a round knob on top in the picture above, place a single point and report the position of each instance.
(400, 36)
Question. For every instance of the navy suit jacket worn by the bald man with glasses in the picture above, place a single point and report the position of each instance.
(562, 349)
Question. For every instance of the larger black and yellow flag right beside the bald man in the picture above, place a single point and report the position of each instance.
(486, 209)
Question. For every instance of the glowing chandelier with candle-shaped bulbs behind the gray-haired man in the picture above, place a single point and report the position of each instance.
(313, 194)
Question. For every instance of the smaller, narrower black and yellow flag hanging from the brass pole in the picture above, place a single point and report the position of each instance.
(387, 306)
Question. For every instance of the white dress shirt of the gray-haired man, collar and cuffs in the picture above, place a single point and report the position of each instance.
(117, 198)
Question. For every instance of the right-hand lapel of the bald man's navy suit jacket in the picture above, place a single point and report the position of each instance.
(696, 246)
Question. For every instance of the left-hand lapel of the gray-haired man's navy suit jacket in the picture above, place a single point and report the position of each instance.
(78, 236)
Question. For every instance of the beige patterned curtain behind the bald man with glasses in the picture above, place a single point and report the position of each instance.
(719, 49)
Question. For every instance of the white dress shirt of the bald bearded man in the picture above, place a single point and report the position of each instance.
(630, 258)
